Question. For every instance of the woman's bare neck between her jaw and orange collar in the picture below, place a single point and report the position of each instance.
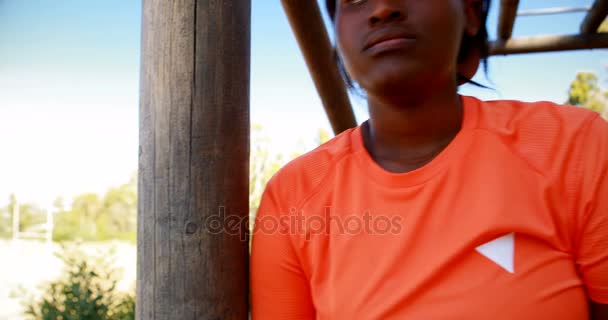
(406, 132)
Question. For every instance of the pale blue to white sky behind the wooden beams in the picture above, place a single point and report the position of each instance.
(69, 79)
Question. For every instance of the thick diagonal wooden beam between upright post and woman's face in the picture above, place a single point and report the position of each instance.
(307, 24)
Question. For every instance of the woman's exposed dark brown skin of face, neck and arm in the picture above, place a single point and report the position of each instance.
(404, 55)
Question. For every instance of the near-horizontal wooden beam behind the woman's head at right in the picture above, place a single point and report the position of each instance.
(549, 43)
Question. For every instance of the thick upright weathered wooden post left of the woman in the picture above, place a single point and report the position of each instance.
(194, 160)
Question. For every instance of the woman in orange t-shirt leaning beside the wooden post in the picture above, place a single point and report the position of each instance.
(440, 206)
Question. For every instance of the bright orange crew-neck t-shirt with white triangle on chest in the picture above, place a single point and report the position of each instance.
(509, 221)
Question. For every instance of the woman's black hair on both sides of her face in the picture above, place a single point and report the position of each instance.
(468, 44)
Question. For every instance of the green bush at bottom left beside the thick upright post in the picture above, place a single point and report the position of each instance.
(85, 291)
